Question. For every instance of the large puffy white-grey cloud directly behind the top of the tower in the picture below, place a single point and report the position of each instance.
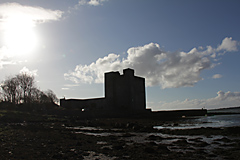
(167, 69)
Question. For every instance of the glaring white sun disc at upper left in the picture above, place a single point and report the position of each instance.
(20, 37)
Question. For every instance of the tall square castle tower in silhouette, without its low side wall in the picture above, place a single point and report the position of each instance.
(125, 92)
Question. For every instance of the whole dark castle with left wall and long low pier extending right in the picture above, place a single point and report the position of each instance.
(124, 96)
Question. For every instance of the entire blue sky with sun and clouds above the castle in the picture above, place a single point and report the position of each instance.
(187, 51)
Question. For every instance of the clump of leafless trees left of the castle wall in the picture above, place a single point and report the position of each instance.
(21, 89)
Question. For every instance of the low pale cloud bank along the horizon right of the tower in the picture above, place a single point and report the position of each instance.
(222, 100)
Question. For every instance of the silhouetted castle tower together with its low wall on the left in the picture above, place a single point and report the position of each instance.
(124, 94)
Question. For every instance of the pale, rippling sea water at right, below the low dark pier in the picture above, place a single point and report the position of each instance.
(216, 121)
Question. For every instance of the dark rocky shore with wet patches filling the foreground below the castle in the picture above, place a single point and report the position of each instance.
(31, 135)
